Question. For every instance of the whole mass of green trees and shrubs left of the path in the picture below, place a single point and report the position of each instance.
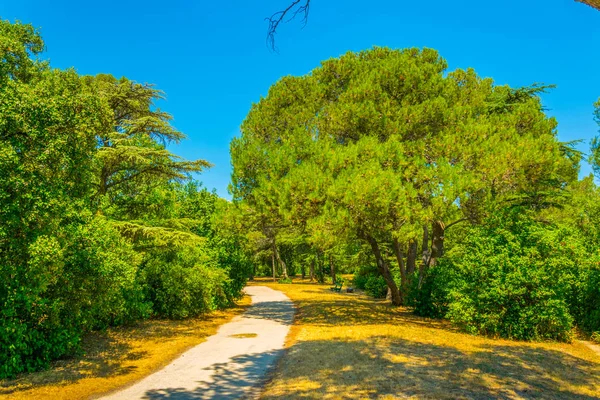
(100, 224)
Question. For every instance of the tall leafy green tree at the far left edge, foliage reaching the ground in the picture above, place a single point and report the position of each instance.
(54, 256)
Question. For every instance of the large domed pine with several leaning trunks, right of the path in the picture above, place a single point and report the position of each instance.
(384, 146)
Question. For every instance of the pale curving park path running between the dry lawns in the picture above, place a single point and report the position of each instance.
(231, 364)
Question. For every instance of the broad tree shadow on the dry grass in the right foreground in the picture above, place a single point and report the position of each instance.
(399, 368)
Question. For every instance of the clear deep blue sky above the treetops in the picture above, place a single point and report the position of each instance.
(211, 59)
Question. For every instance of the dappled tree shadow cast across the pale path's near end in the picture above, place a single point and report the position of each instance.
(236, 379)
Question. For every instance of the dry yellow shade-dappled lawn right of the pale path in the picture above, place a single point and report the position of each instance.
(352, 346)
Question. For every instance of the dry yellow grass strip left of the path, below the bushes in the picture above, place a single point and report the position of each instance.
(118, 357)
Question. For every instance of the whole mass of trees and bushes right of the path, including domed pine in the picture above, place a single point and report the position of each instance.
(446, 191)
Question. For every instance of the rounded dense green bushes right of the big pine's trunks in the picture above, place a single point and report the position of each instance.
(514, 278)
